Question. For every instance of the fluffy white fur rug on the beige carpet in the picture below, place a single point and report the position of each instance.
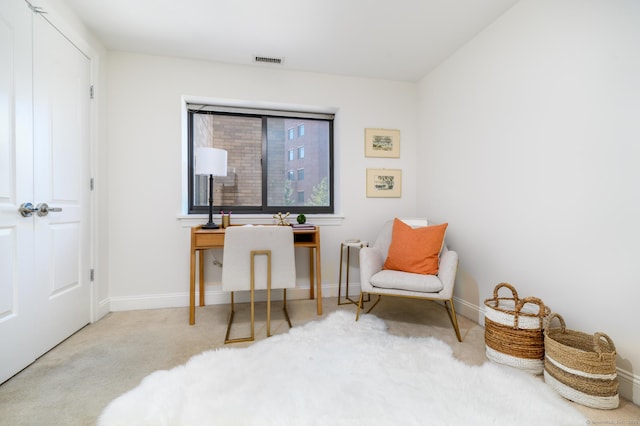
(339, 372)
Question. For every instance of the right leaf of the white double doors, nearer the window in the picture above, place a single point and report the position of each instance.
(61, 180)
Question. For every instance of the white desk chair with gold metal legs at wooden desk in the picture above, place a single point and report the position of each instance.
(258, 258)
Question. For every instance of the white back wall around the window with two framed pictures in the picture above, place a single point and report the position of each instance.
(148, 246)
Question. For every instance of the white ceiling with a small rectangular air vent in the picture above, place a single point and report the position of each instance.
(395, 40)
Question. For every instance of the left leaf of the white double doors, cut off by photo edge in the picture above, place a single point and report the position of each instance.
(17, 276)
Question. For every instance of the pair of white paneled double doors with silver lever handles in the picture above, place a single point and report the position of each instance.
(45, 282)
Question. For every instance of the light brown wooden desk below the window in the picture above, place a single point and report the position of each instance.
(203, 239)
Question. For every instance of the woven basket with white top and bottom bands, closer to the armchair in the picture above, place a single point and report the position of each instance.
(514, 330)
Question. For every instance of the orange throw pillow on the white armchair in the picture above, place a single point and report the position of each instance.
(415, 250)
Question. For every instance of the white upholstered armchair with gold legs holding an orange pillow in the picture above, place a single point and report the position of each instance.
(386, 282)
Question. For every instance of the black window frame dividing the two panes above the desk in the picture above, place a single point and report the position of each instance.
(264, 114)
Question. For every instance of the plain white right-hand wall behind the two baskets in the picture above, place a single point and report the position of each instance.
(530, 136)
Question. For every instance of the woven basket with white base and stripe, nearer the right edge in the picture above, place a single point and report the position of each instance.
(581, 367)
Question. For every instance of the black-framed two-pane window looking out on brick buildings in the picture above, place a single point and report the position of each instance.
(264, 174)
